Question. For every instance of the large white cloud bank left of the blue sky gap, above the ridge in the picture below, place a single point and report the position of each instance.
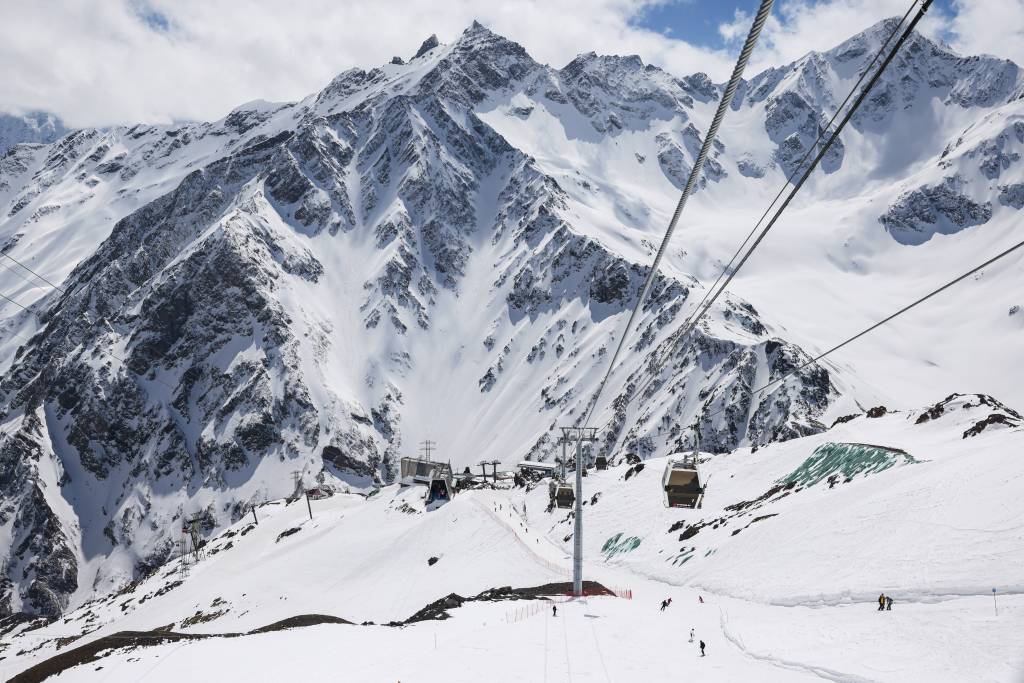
(102, 63)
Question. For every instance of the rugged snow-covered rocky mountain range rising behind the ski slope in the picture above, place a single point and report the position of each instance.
(447, 248)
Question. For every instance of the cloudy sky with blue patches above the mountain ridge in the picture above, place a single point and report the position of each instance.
(99, 63)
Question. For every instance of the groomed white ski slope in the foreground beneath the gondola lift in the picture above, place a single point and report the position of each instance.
(791, 596)
